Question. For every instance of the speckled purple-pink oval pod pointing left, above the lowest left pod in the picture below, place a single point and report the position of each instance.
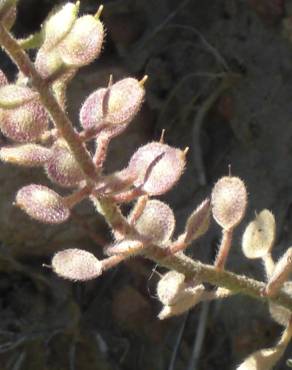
(42, 204)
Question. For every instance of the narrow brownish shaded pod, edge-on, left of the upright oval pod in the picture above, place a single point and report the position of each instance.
(198, 222)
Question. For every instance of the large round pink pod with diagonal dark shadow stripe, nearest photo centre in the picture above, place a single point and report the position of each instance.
(159, 165)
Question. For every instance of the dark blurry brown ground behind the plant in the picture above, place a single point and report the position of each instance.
(220, 82)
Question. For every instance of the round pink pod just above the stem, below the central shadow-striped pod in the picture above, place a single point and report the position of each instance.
(156, 222)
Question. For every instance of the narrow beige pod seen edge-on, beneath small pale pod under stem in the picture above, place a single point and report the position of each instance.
(184, 304)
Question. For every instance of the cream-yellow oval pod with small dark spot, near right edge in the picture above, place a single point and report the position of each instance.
(259, 236)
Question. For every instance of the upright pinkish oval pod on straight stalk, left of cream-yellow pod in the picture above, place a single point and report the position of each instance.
(229, 200)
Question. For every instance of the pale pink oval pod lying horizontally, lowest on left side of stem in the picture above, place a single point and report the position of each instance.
(77, 265)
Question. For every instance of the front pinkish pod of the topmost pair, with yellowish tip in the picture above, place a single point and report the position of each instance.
(83, 43)
